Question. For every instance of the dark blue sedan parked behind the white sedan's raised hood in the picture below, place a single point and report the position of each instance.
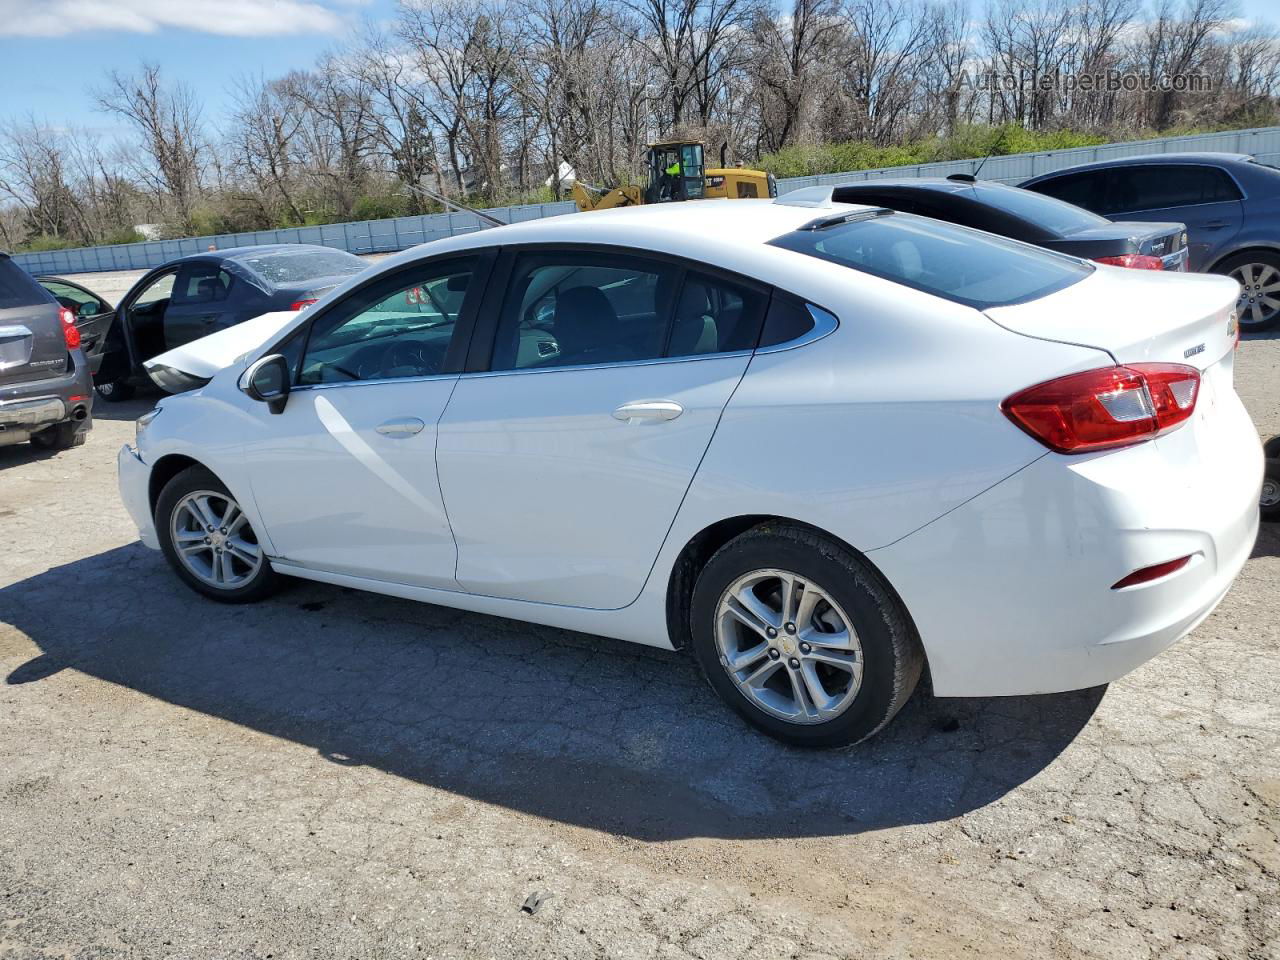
(199, 295)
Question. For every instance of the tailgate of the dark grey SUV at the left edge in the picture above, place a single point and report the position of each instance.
(33, 346)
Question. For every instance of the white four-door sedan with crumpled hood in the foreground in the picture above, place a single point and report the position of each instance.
(824, 447)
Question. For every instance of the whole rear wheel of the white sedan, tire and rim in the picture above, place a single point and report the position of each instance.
(803, 638)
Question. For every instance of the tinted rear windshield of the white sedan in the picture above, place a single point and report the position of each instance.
(968, 267)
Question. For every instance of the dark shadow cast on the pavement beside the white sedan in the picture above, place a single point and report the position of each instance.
(583, 730)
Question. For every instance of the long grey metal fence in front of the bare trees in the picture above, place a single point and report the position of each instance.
(404, 232)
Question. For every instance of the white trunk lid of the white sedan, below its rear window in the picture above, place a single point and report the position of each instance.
(1136, 317)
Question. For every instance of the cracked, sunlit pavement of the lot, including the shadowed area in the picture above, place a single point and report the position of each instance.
(333, 774)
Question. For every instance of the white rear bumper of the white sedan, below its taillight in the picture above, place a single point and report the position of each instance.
(1012, 592)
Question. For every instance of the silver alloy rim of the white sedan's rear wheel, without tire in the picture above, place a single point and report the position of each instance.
(789, 647)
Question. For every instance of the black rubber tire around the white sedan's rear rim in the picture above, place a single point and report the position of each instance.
(892, 652)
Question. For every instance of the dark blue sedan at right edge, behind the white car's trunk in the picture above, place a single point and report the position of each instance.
(1231, 204)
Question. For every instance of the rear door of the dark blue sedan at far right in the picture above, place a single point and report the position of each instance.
(1205, 199)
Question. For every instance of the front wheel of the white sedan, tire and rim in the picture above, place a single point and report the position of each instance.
(209, 542)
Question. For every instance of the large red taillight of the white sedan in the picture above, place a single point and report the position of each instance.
(1113, 406)
